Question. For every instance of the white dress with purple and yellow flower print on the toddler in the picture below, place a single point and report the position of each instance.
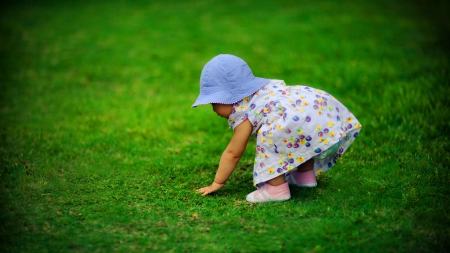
(293, 124)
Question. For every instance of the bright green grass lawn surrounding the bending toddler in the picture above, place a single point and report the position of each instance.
(100, 150)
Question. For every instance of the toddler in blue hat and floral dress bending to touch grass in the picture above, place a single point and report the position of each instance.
(300, 131)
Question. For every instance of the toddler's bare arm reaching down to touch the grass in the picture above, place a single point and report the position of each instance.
(230, 157)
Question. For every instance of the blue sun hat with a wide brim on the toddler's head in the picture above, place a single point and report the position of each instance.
(226, 79)
